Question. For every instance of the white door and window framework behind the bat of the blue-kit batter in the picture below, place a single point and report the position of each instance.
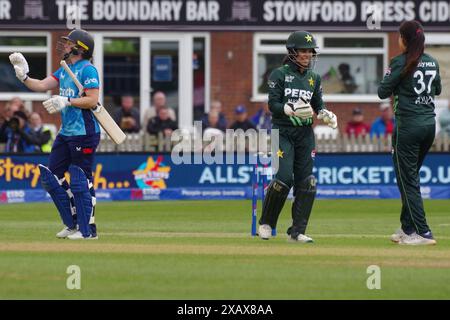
(186, 88)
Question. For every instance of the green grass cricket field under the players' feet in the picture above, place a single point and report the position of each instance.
(203, 250)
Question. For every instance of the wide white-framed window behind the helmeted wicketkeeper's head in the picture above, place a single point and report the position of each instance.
(350, 66)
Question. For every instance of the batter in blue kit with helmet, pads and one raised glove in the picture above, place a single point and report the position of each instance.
(78, 138)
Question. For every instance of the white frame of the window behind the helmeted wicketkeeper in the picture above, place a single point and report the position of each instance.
(281, 49)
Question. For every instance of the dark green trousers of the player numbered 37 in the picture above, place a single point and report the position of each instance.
(410, 146)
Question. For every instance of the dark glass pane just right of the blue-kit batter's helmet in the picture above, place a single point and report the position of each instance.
(121, 70)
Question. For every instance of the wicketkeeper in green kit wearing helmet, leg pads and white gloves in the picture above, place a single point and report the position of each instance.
(295, 94)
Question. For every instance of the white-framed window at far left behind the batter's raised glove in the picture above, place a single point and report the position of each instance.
(35, 49)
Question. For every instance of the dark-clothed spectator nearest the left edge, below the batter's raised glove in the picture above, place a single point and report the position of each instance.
(12, 133)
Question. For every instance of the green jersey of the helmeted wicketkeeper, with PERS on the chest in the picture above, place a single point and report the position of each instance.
(287, 84)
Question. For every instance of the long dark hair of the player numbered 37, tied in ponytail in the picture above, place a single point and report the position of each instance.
(414, 40)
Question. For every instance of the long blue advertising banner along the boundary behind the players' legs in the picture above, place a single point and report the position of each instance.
(156, 177)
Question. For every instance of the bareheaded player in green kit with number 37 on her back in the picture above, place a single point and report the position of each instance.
(413, 78)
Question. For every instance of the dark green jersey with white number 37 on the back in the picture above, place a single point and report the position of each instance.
(413, 94)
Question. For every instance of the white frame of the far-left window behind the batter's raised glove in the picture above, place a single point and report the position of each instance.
(29, 96)
